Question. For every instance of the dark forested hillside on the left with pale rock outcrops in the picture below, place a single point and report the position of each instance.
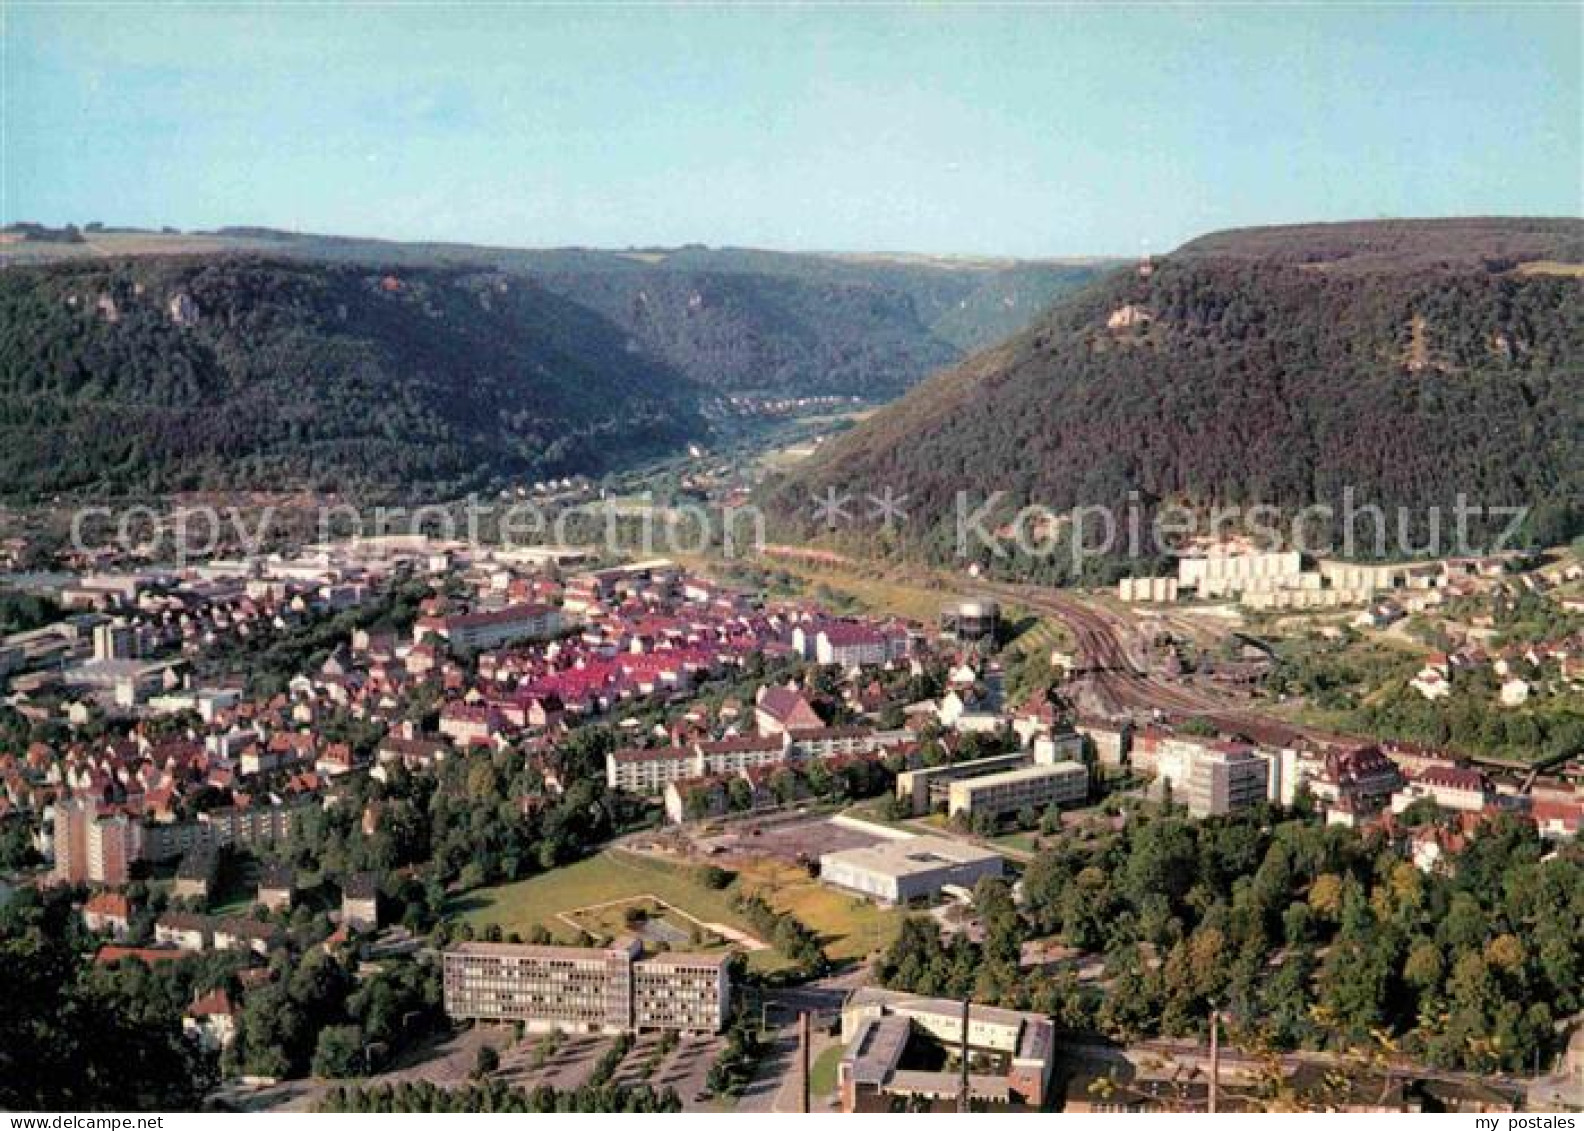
(178, 373)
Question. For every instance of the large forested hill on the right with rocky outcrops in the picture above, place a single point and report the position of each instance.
(1411, 362)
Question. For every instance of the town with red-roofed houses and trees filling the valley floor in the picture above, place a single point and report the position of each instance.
(400, 813)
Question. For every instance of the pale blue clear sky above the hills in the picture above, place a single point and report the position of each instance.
(942, 129)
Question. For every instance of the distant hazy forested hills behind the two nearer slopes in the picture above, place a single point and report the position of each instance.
(737, 321)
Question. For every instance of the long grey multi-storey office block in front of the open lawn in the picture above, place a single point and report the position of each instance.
(587, 989)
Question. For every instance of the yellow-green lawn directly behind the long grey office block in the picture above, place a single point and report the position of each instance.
(850, 927)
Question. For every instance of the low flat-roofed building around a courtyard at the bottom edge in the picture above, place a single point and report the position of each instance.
(878, 1027)
